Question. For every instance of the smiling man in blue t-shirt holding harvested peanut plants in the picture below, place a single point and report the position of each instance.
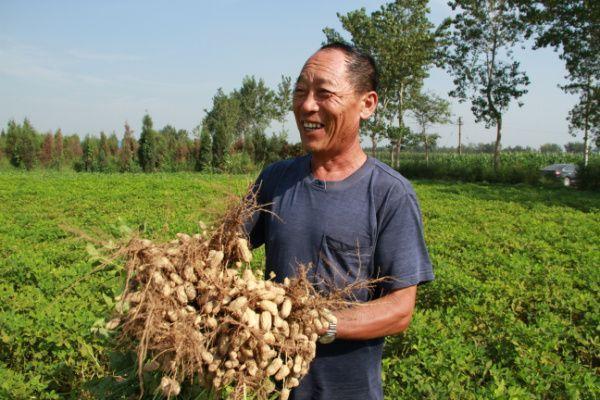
(351, 216)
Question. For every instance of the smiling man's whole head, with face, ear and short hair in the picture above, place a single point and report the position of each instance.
(336, 89)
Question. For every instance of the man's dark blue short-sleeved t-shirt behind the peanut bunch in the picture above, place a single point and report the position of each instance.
(363, 227)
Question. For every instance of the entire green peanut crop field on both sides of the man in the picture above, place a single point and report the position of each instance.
(513, 312)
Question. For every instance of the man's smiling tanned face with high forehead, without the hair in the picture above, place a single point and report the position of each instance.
(326, 107)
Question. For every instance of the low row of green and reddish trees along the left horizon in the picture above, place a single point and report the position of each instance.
(168, 149)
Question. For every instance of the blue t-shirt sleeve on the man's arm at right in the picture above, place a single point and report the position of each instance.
(401, 254)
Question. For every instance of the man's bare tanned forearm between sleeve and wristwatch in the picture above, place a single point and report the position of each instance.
(388, 315)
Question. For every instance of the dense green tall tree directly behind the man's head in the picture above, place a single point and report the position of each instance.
(402, 41)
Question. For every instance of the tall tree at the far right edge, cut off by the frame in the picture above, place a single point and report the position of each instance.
(573, 28)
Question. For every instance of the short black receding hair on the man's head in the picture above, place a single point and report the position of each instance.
(361, 66)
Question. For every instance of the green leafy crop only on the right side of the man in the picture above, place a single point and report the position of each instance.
(512, 313)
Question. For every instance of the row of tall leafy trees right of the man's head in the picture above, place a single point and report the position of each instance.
(476, 46)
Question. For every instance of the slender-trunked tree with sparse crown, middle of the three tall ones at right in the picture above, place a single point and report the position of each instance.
(479, 55)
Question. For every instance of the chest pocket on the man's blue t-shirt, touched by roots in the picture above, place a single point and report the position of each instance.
(341, 264)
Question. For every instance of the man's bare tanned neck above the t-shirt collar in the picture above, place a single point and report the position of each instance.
(338, 167)
